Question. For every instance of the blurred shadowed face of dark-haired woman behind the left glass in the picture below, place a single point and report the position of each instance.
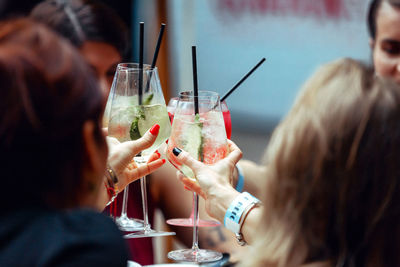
(103, 58)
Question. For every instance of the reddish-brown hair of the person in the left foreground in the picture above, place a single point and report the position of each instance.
(47, 92)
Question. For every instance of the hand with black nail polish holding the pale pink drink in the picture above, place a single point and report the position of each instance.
(214, 182)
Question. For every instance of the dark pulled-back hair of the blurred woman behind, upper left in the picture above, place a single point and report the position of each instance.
(83, 20)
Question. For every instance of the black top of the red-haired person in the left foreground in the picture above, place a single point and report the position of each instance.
(55, 238)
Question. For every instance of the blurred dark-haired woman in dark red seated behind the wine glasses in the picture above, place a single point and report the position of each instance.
(88, 23)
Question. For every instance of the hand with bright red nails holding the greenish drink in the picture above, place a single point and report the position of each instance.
(121, 157)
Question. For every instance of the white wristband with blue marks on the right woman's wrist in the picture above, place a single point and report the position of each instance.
(237, 212)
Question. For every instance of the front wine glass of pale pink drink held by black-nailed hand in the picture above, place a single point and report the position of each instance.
(203, 136)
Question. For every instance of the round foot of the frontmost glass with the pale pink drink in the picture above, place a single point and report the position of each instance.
(191, 255)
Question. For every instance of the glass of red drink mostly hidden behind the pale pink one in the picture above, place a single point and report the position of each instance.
(188, 222)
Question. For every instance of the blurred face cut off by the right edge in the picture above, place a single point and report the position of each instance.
(386, 46)
